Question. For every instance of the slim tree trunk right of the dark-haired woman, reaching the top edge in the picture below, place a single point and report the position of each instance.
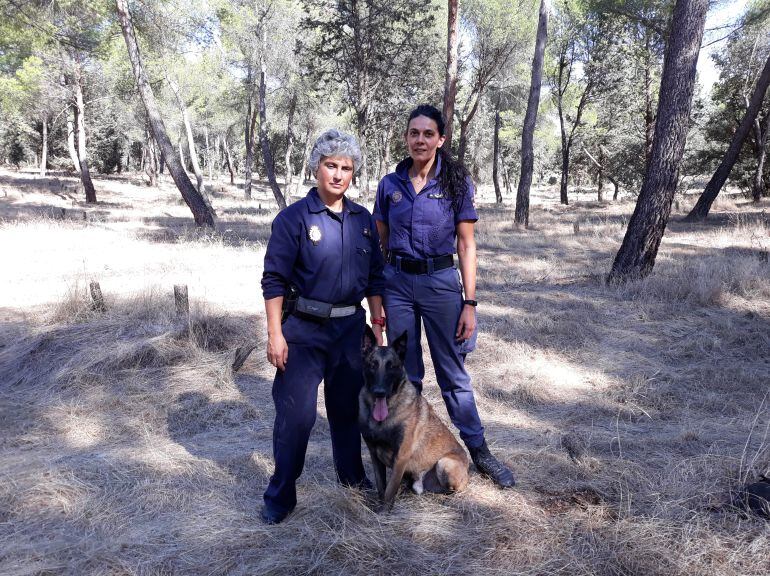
(530, 119)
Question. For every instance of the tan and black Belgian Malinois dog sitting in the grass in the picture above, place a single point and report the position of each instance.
(401, 429)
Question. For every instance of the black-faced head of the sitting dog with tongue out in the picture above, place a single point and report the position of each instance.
(383, 370)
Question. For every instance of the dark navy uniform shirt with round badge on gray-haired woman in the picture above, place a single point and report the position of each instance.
(329, 257)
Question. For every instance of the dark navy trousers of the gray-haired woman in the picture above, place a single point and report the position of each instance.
(330, 352)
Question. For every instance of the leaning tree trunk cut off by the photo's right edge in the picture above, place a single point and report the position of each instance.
(703, 205)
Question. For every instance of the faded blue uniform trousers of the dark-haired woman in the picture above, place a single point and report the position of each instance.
(437, 300)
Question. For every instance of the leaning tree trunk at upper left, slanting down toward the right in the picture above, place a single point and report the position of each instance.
(199, 206)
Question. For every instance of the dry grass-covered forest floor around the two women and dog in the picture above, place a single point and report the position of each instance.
(129, 446)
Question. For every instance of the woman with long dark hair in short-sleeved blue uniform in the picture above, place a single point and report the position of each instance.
(425, 213)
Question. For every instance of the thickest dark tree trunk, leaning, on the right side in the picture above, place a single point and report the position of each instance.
(636, 256)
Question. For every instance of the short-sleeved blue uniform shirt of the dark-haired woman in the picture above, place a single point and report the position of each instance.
(421, 225)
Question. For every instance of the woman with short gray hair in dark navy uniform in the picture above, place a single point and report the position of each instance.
(322, 259)
